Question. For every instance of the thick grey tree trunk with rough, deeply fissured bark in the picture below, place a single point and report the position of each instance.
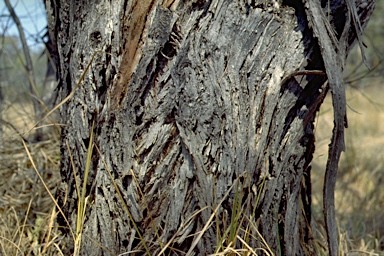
(202, 117)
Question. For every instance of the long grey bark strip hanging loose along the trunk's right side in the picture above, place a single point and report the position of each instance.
(334, 53)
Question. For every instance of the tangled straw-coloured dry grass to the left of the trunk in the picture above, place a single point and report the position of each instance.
(27, 215)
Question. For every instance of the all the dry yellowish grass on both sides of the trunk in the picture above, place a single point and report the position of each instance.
(27, 214)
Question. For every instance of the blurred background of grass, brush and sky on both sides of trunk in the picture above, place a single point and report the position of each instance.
(27, 215)
